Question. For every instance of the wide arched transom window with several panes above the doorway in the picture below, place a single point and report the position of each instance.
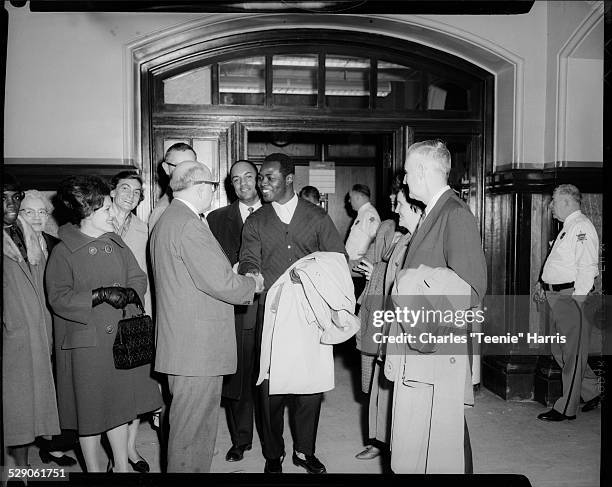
(318, 80)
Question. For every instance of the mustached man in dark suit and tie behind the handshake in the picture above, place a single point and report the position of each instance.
(226, 225)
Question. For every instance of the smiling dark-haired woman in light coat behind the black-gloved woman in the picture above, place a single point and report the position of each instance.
(126, 194)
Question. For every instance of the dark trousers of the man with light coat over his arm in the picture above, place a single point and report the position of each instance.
(304, 412)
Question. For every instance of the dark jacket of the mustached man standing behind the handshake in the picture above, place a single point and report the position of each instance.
(226, 225)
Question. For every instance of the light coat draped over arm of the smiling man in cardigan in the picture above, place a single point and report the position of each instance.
(303, 320)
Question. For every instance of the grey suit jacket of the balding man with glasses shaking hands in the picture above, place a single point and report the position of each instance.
(195, 290)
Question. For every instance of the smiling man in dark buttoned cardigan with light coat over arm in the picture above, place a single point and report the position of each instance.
(273, 238)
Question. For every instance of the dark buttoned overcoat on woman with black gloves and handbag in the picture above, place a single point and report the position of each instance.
(93, 396)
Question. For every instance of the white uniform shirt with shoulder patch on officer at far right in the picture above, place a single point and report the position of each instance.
(575, 255)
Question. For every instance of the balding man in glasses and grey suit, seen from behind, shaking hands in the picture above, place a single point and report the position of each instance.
(196, 339)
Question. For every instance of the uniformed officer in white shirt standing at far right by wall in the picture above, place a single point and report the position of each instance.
(567, 278)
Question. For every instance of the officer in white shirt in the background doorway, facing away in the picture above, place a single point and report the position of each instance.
(364, 228)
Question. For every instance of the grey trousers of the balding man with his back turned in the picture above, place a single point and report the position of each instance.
(193, 420)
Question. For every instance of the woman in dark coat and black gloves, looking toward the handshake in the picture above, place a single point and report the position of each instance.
(91, 277)
